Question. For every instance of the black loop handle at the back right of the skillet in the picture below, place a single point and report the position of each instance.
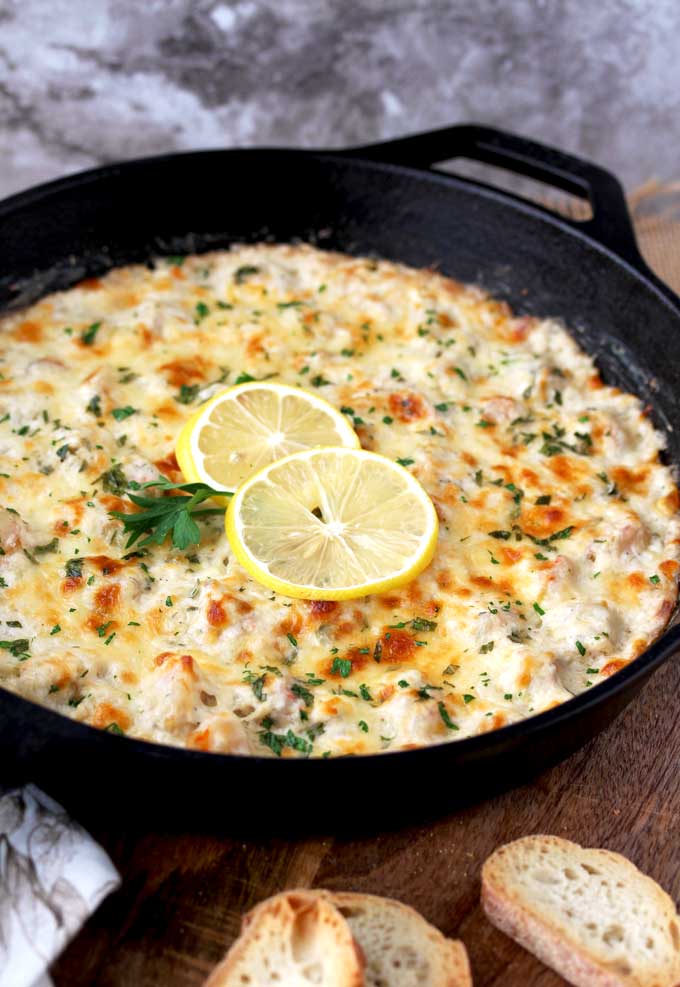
(611, 224)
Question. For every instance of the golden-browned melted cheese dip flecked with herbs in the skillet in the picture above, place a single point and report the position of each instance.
(558, 548)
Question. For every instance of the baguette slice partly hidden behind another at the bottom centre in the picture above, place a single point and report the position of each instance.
(400, 948)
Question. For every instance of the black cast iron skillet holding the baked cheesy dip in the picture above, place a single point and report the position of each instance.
(378, 200)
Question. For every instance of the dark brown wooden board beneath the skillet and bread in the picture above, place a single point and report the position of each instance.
(182, 896)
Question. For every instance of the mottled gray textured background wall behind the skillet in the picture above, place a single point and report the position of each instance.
(88, 81)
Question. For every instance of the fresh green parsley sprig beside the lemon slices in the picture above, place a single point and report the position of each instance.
(161, 515)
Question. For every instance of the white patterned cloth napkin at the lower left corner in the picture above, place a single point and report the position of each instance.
(52, 877)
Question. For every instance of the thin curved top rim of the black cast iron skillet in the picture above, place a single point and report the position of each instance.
(662, 648)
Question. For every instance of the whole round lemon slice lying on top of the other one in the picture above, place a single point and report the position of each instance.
(332, 524)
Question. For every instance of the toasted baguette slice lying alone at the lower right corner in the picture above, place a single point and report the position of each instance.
(591, 915)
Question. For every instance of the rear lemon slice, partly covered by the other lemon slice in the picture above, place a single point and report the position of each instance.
(249, 426)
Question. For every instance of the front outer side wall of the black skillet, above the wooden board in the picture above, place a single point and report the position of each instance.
(101, 778)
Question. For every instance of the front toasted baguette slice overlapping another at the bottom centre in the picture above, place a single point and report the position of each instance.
(295, 939)
